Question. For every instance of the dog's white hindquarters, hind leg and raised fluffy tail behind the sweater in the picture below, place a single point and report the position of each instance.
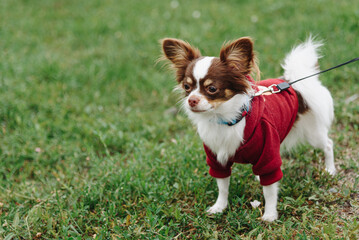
(312, 127)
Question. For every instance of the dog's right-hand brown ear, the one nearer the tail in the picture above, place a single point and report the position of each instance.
(239, 55)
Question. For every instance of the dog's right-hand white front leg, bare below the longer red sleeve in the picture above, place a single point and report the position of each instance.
(270, 196)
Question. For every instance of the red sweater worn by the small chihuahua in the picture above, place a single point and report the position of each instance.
(268, 123)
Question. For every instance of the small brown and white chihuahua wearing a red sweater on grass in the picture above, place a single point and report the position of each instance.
(238, 122)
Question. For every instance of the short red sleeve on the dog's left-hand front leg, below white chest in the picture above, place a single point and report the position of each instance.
(216, 169)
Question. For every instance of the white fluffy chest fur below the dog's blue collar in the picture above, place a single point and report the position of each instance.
(223, 140)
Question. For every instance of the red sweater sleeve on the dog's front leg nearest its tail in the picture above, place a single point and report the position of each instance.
(269, 160)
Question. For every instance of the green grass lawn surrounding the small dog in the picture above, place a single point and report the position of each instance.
(88, 150)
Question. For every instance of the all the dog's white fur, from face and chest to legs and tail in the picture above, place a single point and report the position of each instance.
(312, 127)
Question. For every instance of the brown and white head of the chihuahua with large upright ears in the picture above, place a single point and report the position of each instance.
(209, 82)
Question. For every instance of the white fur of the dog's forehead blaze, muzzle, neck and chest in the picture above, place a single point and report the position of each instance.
(221, 139)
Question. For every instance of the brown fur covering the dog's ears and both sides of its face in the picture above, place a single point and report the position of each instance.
(226, 73)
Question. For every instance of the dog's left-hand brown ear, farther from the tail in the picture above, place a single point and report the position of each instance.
(179, 52)
